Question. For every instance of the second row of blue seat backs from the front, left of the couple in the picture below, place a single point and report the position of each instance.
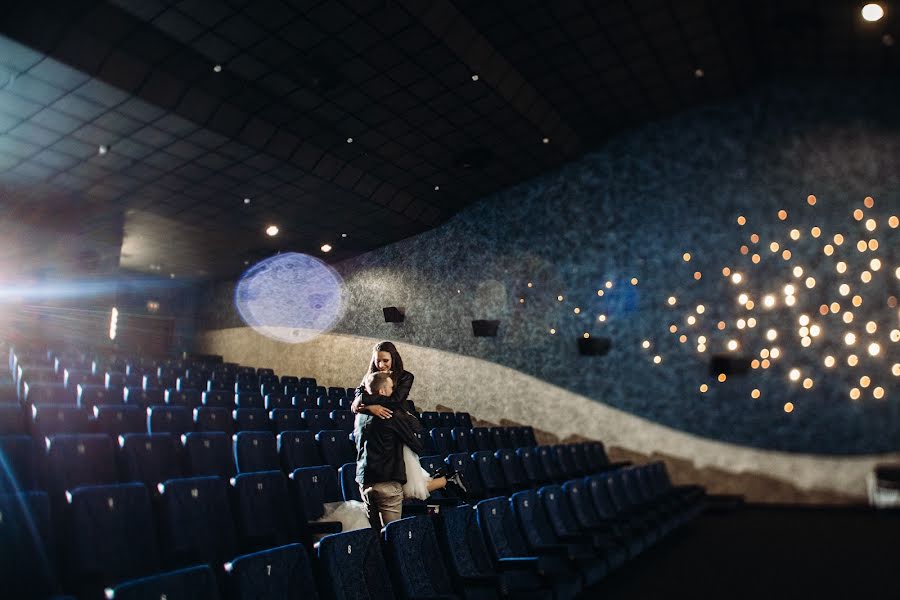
(111, 533)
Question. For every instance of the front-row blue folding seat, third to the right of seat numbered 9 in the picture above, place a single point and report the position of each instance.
(508, 550)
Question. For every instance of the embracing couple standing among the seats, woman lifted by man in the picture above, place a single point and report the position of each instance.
(389, 440)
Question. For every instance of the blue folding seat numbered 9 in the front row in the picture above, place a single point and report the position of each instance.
(353, 567)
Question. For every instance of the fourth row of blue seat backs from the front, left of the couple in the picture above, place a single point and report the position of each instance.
(50, 419)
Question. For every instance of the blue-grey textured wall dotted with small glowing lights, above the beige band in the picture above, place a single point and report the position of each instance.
(631, 209)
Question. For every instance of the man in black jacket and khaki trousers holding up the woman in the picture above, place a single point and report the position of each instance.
(380, 469)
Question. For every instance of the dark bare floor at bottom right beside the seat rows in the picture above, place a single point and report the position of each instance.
(769, 552)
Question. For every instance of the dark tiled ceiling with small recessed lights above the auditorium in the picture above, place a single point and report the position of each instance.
(445, 102)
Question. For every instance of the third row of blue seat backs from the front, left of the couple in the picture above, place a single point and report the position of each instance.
(93, 459)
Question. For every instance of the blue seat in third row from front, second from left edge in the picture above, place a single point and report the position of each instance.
(79, 459)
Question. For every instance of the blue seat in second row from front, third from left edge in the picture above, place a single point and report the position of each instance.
(195, 521)
